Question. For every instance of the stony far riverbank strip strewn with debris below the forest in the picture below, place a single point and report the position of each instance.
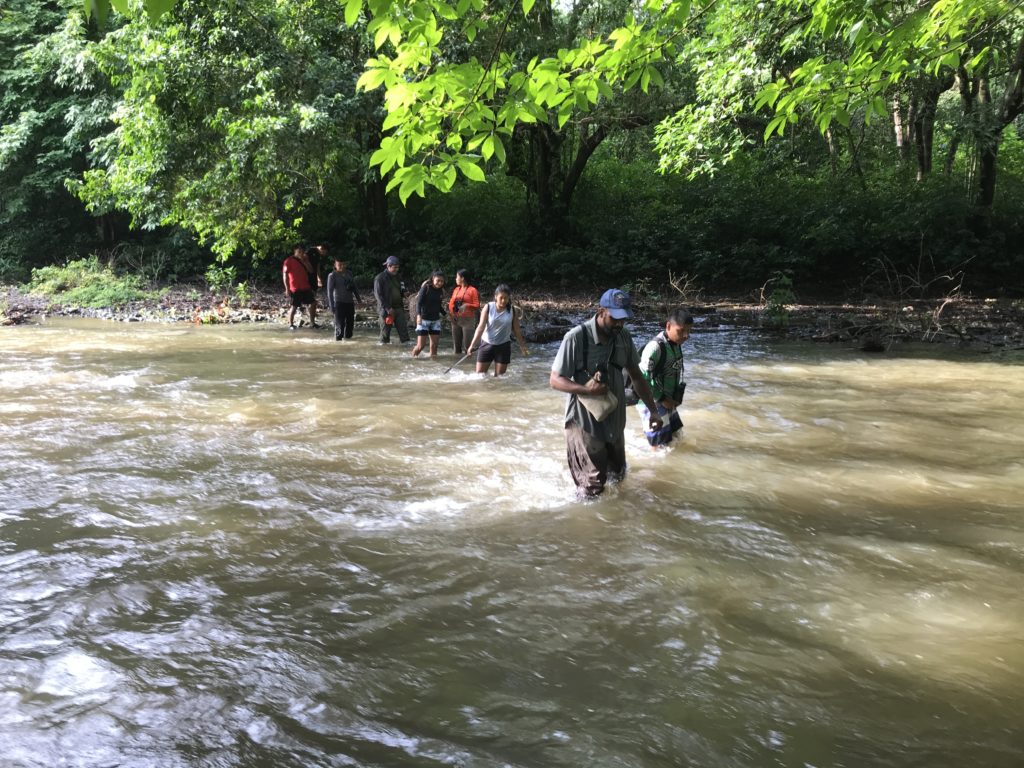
(985, 324)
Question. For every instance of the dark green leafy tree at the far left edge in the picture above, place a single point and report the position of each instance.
(53, 104)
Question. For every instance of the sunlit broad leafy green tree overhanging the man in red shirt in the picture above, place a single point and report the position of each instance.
(236, 121)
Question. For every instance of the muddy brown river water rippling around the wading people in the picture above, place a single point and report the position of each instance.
(239, 546)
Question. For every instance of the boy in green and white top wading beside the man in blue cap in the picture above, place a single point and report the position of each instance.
(662, 366)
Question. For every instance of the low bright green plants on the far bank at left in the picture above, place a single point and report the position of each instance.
(87, 283)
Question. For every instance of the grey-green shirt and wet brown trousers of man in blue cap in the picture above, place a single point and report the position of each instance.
(595, 450)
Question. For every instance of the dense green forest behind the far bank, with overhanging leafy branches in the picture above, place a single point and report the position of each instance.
(840, 148)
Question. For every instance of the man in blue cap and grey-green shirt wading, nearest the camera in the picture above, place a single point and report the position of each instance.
(590, 362)
